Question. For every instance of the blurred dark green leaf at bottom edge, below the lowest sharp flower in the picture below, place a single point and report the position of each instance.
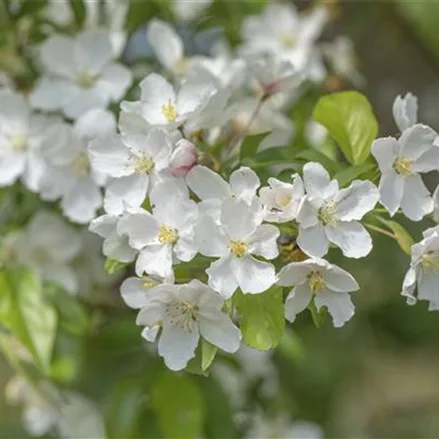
(179, 406)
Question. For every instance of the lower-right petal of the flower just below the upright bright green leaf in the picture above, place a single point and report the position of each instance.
(352, 238)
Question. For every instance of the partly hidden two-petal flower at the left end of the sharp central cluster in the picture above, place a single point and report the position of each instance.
(115, 245)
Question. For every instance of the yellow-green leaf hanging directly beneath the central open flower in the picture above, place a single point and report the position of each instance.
(262, 318)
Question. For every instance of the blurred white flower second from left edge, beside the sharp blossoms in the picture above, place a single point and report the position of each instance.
(70, 175)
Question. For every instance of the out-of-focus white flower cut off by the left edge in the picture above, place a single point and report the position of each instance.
(21, 136)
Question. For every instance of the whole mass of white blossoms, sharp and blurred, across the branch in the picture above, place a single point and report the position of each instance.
(163, 165)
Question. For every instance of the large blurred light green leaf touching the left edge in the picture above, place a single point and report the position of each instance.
(25, 312)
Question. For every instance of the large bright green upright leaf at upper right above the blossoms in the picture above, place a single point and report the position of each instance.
(349, 118)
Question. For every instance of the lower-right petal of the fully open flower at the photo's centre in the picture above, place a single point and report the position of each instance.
(253, 276)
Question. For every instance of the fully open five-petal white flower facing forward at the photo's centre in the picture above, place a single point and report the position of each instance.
(235, 241)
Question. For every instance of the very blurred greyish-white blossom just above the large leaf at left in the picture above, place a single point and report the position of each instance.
(49, 246)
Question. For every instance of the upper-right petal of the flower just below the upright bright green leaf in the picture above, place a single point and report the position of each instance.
(355, 201)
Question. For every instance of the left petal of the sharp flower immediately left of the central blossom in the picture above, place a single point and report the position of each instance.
(141, 227)
